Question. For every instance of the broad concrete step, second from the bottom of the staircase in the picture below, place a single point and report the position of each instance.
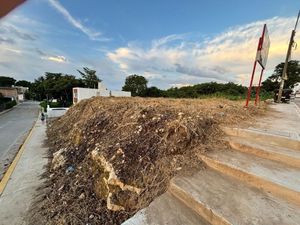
(222, 199)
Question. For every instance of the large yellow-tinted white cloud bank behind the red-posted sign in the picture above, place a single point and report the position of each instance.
(227, 56)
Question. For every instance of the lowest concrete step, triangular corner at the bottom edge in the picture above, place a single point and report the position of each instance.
(166, 210)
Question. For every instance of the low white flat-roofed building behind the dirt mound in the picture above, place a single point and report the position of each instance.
(85, 93)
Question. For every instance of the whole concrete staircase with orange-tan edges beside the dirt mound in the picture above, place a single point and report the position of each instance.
(257, 181)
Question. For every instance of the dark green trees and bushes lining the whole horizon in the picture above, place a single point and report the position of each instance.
(59, 86)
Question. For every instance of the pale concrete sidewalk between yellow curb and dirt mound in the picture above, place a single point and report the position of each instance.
(26, 178)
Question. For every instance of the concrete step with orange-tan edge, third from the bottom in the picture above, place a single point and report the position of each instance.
(279, 179)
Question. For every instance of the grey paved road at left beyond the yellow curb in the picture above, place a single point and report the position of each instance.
(14, 125)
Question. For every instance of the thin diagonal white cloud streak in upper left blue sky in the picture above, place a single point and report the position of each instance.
(93, 35)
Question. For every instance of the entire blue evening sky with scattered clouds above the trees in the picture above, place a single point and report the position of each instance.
(173, 43)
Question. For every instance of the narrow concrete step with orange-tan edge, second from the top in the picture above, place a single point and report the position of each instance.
(280, 154)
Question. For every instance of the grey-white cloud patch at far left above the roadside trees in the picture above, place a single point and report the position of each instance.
(23, 55)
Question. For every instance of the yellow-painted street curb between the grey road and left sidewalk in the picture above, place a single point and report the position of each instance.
(13, 165)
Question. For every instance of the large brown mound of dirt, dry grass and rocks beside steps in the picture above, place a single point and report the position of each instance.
(112, 156)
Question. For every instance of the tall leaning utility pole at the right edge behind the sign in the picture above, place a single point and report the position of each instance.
(287, 59)
